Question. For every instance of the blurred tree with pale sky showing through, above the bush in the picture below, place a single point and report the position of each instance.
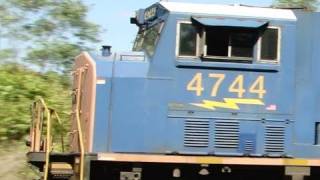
(48, 33)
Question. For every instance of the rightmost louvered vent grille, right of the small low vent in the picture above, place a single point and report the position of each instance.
(274, 139)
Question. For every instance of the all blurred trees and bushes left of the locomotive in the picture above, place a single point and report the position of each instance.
(38, 42)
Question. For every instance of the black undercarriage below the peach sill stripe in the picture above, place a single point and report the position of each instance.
(148, 171)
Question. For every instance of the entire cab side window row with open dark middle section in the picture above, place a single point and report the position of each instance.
(218, 41)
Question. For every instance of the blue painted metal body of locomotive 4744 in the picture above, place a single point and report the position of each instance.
(145, 105)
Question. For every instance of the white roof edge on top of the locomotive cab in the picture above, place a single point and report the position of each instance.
(230, 10)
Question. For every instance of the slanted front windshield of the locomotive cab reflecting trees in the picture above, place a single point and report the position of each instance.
(147, 39)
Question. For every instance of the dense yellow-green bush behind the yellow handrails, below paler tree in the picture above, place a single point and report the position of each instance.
(19, 87)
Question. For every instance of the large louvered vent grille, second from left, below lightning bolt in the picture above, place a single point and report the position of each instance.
(226, 134)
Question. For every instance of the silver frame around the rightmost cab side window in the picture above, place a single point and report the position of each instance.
(259, 44)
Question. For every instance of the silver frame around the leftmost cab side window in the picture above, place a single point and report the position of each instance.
(178, 28)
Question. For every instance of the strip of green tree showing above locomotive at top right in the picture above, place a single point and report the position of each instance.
(310, 5)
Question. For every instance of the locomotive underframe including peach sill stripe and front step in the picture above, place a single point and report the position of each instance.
(149, 167)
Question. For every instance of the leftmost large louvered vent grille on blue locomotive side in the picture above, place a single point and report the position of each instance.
(196, 133)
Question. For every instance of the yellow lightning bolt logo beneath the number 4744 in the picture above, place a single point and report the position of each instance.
(229, 103)
